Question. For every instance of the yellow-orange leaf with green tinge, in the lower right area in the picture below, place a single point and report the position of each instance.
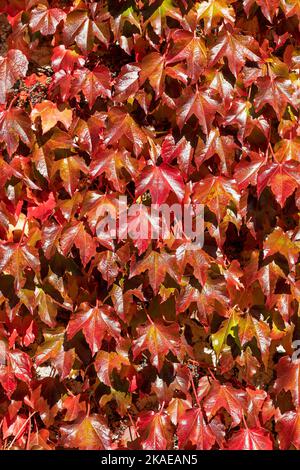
(250, 327)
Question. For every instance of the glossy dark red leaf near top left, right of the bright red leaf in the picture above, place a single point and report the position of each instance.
(83, 30)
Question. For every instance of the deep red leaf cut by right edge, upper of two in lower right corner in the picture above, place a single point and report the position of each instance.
(288, 378)
